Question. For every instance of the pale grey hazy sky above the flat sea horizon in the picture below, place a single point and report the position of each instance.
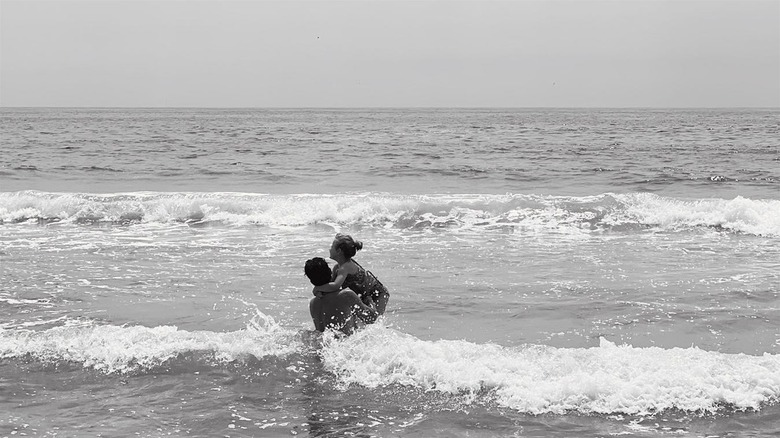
(630, 53)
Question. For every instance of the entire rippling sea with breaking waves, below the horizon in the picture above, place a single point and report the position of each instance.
(566, 273)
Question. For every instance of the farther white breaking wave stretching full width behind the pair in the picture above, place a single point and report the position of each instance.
(522, 213)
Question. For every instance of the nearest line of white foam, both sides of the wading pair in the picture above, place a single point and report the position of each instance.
(535, 379)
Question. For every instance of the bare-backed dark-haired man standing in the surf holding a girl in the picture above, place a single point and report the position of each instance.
(337, 309)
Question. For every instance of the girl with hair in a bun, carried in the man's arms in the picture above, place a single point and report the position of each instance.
(349, 274)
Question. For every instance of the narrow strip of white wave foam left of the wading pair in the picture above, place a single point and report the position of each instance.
(115, 349)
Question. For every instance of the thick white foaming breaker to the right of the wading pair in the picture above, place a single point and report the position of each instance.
(537, 379)
